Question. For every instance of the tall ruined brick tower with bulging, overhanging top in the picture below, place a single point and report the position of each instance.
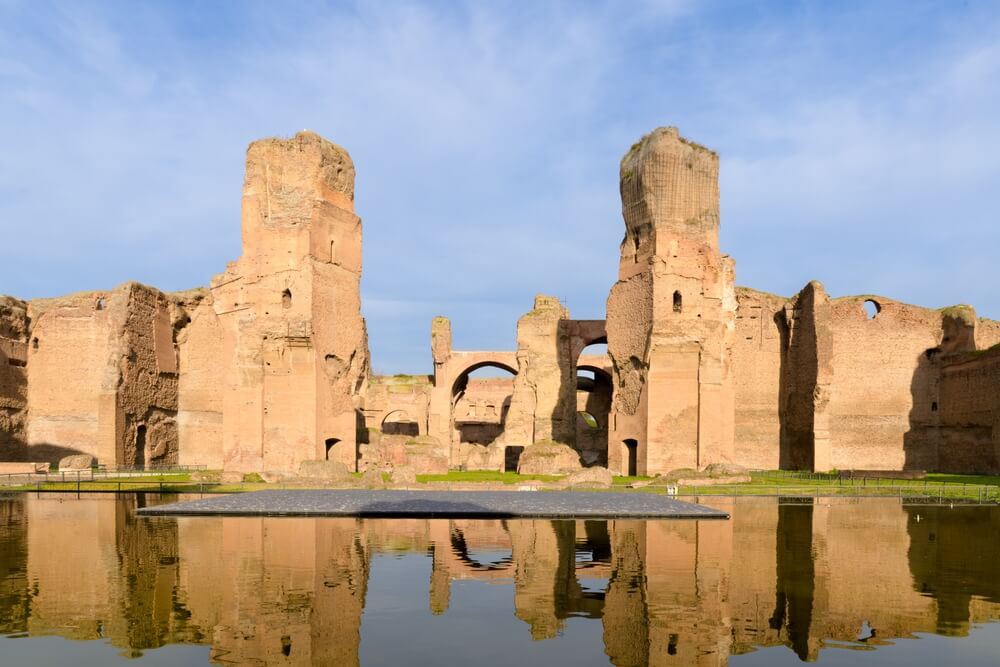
(670, 315)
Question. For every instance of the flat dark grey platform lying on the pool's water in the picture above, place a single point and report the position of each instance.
(441, 504)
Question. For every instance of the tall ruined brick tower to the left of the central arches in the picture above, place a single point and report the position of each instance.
(294, 343)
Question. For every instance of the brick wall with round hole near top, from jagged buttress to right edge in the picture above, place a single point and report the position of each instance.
(869, 383)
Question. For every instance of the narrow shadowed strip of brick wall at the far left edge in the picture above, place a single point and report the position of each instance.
(13, 377)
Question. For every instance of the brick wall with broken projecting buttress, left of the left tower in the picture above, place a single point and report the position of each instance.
(102, 374)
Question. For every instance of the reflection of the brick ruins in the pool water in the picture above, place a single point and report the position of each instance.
(292, 591)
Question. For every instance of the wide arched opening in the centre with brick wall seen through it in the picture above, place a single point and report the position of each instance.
(480, 401)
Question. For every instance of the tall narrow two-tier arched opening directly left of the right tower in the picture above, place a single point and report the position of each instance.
(593, 403)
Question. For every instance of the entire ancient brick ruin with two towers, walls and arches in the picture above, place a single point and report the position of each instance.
(269, 366)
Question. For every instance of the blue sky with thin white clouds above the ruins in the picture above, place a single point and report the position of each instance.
(860, 144)
